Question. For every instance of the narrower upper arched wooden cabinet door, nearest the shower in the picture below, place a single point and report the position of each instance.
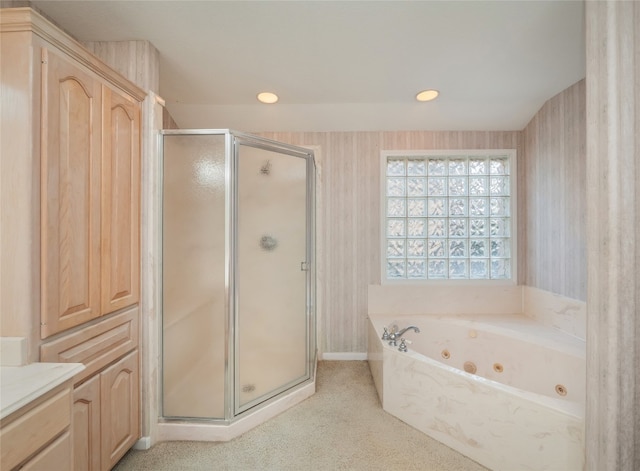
(120, 201)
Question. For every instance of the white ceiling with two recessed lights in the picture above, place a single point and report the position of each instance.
(347, 65)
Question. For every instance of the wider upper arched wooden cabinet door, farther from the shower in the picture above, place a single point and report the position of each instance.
(70, 195)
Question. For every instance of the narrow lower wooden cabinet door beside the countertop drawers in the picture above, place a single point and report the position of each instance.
(86, 426)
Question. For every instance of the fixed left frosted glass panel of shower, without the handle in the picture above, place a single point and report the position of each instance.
(193, 266)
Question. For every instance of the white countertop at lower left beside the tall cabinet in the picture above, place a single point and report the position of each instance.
(19, 385)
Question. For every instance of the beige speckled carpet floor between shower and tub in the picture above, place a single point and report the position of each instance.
(341, 427)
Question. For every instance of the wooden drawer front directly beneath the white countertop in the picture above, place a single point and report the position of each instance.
(33, 429)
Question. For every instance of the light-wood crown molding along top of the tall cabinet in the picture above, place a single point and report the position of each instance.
(18, 20)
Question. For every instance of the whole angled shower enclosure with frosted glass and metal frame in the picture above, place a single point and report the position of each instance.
(238, 272)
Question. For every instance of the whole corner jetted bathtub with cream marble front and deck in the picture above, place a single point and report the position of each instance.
(503, 390)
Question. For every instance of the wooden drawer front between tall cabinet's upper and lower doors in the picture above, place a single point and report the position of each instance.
(96, 345)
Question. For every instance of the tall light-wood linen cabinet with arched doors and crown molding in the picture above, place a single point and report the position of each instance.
(80, 122)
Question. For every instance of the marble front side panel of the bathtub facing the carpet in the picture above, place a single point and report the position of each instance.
(494, 427)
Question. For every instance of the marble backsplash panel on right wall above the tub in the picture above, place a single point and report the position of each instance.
(566, 314)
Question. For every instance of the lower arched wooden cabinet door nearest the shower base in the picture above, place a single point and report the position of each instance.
(119, 385)
